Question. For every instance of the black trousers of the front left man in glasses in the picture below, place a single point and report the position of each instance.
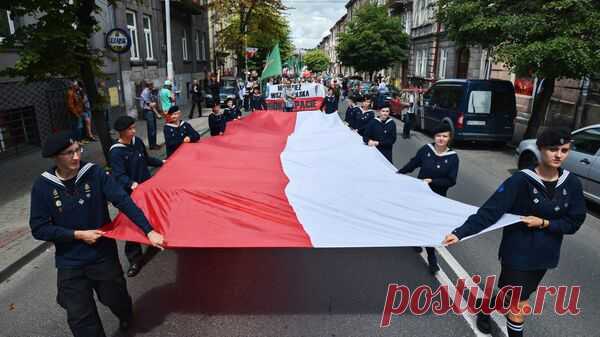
(76, 287)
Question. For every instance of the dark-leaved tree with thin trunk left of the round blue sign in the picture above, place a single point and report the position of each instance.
(57, 45)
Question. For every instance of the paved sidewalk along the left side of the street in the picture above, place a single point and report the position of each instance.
(17, 246)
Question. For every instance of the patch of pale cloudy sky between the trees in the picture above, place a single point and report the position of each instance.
(310, 20)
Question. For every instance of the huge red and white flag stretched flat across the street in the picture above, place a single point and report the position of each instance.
(278, 179)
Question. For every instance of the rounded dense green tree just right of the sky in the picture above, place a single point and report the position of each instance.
(373, 41)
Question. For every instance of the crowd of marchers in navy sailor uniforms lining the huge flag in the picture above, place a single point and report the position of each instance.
(69, 200)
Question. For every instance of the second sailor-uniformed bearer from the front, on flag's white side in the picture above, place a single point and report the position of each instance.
(438, 167)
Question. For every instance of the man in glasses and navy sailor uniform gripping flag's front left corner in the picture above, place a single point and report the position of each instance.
(68, 208)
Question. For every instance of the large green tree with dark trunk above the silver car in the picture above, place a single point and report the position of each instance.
(549, 39)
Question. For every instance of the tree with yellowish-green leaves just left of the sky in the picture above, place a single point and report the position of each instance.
(263, 22)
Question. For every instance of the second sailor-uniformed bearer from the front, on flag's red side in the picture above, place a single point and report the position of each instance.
(129, 163)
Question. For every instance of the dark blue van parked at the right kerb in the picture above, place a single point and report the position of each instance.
(477, 110)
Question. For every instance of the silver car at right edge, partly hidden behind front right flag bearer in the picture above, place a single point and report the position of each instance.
(583, 161)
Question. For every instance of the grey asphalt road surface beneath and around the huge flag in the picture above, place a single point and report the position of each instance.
(310, 292)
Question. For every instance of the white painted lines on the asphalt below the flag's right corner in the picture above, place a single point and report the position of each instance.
(460, 272)
